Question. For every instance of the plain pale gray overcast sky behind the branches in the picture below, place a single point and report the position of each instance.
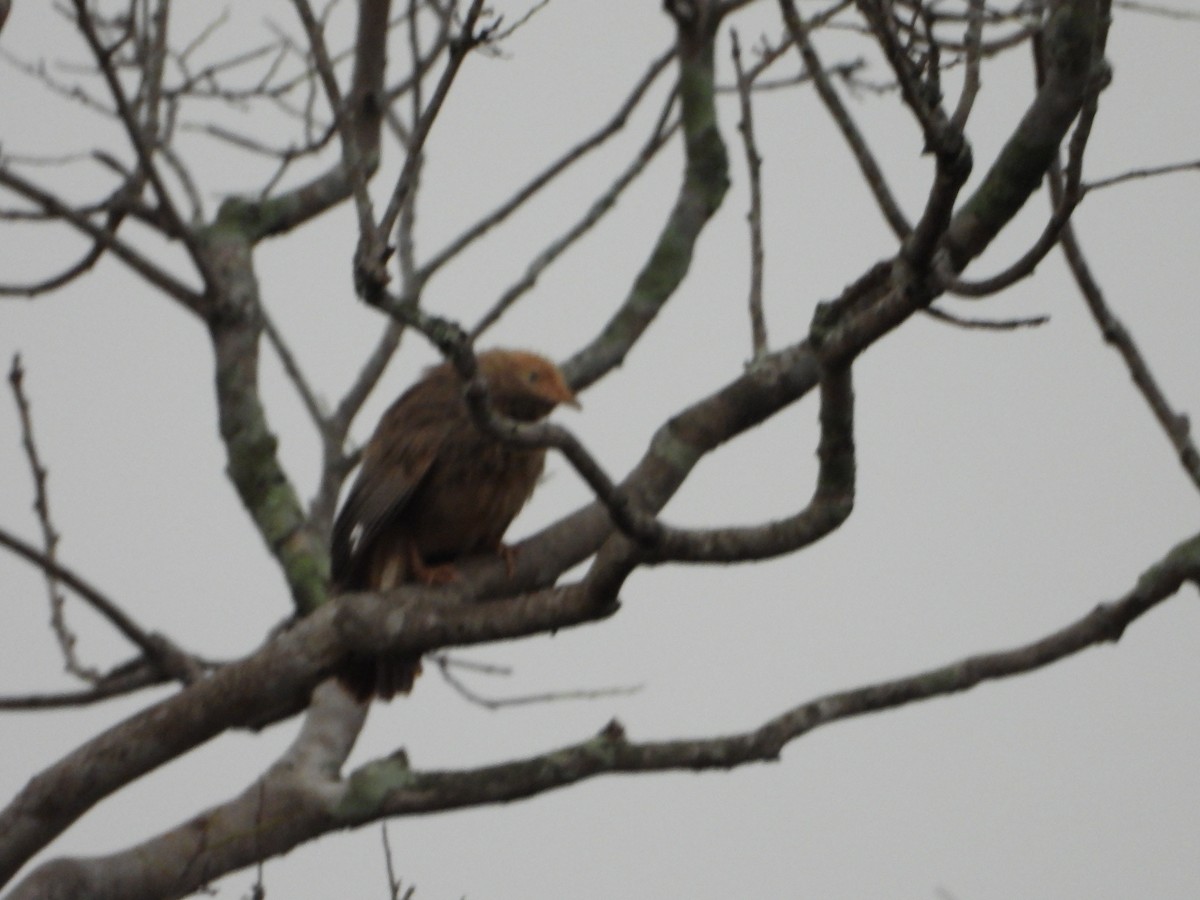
(1009, 483)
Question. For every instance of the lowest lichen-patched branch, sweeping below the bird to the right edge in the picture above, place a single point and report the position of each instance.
(289, 808)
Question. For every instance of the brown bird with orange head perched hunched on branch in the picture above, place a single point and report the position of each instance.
(435, 489)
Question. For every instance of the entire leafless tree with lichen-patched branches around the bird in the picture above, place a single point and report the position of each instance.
(333, 125)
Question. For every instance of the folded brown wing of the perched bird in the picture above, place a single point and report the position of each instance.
(397, 463)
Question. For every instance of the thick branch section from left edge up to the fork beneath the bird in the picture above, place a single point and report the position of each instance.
(277, 682)
